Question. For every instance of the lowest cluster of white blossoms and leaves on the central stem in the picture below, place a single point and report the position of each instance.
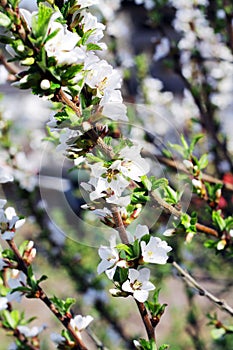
(136, 282)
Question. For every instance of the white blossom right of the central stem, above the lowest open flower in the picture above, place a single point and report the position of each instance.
(155, 251)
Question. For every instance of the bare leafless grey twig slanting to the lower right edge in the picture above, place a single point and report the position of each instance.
(202, 291)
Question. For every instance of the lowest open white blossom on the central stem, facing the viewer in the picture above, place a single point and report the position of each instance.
(138, 284)
